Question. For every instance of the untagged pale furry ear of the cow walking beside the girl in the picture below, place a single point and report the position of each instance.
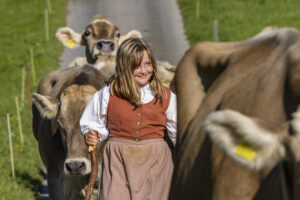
(47, 106)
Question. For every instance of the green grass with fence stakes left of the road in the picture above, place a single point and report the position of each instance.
(23, 26)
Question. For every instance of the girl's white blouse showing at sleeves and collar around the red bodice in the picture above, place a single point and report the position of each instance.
(94, 115)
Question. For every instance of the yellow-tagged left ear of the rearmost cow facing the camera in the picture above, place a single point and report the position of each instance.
(68, 37)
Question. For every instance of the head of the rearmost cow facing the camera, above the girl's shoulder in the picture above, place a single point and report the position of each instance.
(100, 37)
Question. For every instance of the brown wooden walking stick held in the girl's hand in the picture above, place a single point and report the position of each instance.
(94, 171)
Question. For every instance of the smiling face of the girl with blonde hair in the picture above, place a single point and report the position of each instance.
(143, 73)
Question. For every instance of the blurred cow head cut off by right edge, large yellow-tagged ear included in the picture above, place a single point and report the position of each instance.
(253, 142)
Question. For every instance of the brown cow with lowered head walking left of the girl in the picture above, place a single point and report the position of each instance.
(58, 105)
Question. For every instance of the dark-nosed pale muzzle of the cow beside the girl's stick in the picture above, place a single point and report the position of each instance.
(77, 166)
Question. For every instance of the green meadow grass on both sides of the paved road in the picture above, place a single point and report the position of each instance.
(23, 28)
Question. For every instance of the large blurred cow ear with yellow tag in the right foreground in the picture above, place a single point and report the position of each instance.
(244, 139)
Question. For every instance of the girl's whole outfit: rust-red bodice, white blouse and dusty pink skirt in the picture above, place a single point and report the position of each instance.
(137, 162)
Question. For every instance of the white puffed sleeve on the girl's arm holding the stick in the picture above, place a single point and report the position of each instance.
(94, 115)
